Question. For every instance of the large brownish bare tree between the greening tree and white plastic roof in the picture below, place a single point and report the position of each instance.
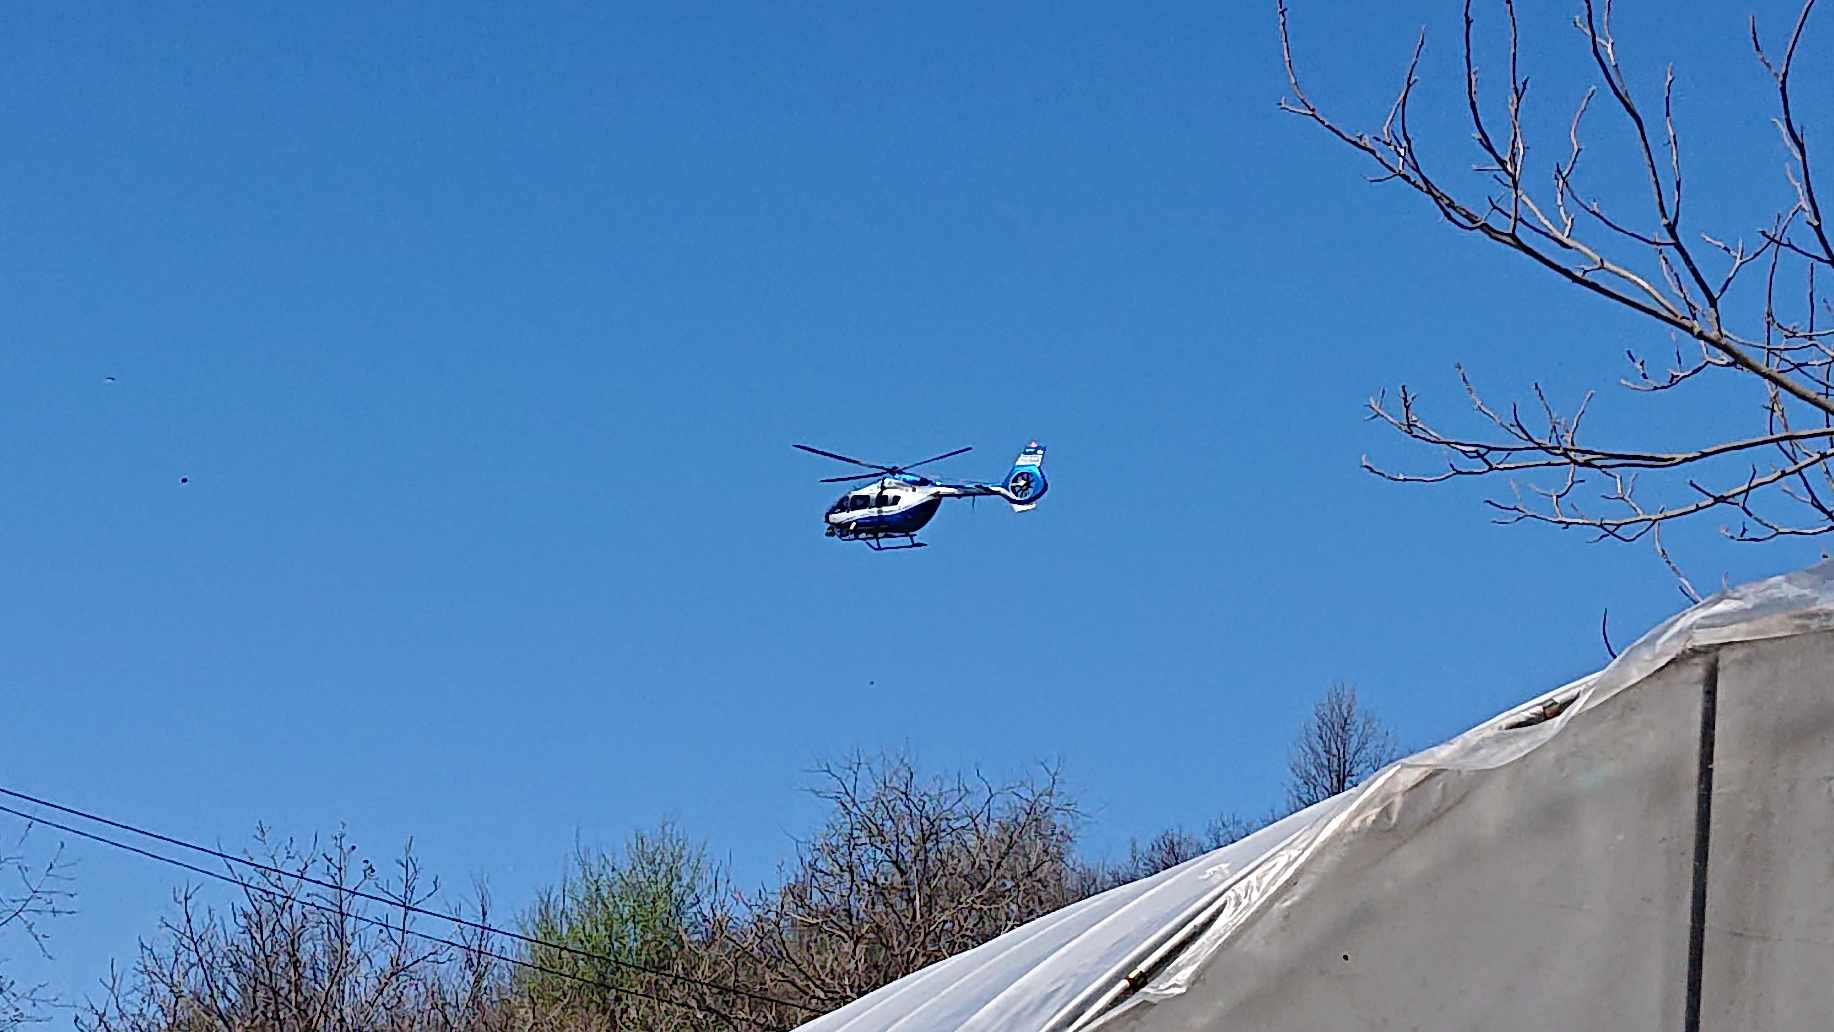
(907, 872)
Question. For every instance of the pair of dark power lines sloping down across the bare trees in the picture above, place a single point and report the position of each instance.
(362, 895)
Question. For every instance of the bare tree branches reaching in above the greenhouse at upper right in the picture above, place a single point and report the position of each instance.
(1743, 314)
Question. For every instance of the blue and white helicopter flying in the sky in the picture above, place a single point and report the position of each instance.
(889, 512)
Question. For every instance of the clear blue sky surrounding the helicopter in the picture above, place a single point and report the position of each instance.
(483, 335)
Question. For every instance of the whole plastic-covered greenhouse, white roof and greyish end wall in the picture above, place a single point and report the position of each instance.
(1532, 873)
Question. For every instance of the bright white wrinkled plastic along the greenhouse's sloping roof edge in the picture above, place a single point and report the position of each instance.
(1151, 939)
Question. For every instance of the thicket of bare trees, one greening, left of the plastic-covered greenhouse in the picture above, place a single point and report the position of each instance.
(907, 870)
